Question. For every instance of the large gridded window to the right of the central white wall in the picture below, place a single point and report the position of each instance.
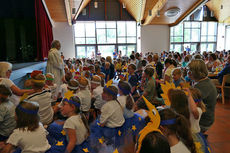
(197, 36)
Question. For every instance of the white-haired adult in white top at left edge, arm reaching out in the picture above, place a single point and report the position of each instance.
(5, 72)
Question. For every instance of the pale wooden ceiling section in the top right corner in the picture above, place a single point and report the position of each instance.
(221, 9)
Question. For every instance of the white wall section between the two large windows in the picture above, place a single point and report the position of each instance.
(155, 38)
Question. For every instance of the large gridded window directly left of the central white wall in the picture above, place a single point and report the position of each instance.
(105, 36)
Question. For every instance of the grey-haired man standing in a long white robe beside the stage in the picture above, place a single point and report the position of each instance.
(55, 63)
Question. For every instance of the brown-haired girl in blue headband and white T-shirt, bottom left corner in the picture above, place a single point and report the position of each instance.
(29, 135)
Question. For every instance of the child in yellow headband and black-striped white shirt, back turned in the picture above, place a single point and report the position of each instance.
(43, 98)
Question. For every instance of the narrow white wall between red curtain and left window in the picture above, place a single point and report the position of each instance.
(65, 34)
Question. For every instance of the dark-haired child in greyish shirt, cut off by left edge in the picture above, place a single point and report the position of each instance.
(7, 122)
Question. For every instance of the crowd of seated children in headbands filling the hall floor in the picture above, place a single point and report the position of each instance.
(101, 107)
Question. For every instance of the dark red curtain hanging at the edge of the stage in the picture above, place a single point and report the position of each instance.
(44, 31)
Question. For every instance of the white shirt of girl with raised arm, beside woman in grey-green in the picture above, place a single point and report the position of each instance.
(195, 127)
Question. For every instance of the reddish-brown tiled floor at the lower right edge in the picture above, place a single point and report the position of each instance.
(219, 133)
